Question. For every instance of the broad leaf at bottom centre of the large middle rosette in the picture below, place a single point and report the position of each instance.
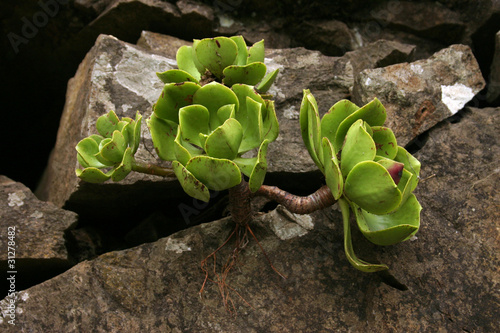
(216, 174)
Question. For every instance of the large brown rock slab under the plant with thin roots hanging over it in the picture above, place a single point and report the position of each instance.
(450, 268)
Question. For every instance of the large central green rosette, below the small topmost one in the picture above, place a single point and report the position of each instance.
(205, 130)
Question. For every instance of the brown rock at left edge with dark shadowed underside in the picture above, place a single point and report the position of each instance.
(33, 235)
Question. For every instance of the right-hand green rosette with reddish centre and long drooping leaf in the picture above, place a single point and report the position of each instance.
(365, 170)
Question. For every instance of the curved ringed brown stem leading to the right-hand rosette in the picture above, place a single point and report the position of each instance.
(320, 199)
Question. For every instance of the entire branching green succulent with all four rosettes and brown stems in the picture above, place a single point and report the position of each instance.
(213, 121)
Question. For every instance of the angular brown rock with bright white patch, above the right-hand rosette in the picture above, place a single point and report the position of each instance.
(420, 94)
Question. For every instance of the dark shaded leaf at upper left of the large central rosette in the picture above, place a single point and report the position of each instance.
(173, 97)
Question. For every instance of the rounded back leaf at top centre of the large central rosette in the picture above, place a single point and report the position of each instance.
(213, 96)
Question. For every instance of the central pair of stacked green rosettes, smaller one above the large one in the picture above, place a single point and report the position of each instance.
(205, 126)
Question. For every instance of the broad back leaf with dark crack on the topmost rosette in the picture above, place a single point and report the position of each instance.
(216, 54)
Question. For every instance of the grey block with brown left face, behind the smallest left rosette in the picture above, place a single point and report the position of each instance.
(113, 76)
